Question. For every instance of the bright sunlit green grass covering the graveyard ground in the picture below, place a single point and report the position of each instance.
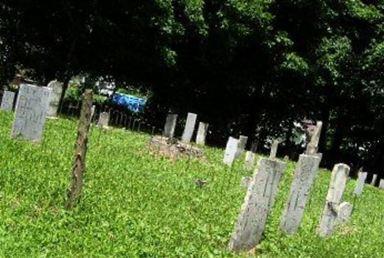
(137, 204)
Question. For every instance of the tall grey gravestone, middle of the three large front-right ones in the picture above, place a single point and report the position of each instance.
(304, 176)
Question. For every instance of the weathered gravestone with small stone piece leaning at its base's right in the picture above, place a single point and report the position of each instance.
(334, 211)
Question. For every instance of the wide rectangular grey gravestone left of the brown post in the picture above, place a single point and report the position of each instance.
(31, 111)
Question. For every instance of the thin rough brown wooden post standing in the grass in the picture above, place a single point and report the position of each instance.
(74, 192)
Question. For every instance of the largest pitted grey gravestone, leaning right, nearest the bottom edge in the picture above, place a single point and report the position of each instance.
(258, 201)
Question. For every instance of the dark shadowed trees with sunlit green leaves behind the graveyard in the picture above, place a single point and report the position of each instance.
(251, 67)
